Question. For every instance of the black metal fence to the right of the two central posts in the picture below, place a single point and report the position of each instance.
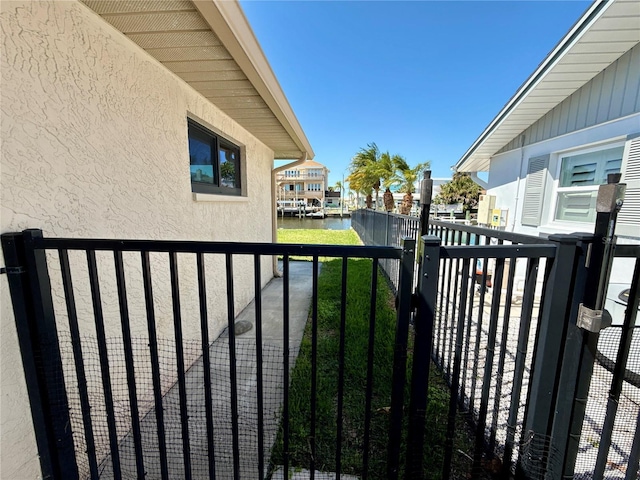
(506, 337)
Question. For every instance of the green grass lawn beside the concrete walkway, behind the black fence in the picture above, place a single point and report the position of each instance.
(355, 370)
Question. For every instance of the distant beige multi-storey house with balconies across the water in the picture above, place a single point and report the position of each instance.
(306, 183)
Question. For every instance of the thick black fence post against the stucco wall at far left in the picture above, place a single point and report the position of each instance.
(30, 291)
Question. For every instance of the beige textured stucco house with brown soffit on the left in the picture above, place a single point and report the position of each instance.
(155, 120)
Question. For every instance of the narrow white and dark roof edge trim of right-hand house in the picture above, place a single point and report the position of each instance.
(595, 10)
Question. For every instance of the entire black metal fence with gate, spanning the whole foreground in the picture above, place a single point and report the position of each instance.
(129, 377)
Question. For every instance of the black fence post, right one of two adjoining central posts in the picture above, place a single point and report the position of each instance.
(423, 324)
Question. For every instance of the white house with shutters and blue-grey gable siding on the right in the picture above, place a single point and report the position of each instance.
(575, 120)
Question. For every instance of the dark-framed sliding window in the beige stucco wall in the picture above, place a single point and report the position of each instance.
(214, 162)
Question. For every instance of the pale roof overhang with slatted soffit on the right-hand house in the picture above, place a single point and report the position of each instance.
(605, 32)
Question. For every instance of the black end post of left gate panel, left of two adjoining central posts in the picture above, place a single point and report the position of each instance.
(403, 315)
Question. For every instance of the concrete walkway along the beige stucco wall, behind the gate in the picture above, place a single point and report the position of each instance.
(300, 292)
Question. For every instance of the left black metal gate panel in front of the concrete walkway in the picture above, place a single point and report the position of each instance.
(127, 377)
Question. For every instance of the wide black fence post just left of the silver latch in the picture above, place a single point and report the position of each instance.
(548, 354)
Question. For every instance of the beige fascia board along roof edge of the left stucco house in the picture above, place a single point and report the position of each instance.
(231, 26)
